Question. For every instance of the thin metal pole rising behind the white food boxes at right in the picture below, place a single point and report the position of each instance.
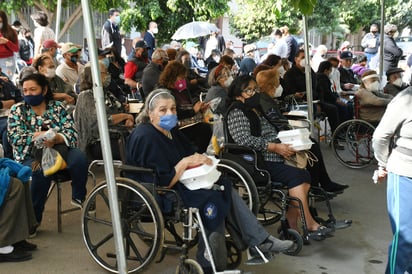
(308, 73)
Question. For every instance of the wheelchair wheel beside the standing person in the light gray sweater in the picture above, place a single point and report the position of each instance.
(352, 143)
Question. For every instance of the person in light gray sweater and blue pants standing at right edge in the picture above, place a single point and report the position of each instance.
(395, 163)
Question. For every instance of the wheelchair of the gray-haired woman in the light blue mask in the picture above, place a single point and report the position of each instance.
(143, 222)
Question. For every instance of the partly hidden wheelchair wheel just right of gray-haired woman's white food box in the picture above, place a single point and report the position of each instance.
(241, 181)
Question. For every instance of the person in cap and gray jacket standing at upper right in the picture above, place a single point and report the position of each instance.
(391, 52)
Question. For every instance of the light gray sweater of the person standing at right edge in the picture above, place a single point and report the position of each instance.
(397, 123)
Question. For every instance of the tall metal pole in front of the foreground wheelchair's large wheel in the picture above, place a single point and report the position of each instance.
(104, 138)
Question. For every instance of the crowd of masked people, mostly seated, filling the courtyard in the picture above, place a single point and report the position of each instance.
(177, 86)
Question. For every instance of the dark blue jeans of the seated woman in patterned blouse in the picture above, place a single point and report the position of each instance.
(77, 167)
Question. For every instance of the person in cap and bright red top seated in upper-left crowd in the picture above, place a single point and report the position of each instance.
(133, 70)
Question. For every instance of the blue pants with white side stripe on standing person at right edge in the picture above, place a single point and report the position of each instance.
(399, 192)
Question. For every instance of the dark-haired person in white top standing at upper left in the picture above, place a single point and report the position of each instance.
(42, 32)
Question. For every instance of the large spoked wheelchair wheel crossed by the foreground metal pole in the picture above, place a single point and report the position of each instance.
(141, 221)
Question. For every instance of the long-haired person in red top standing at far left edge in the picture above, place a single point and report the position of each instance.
(9, 44)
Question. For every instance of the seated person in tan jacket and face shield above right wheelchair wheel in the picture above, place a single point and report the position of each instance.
(372, 101)
